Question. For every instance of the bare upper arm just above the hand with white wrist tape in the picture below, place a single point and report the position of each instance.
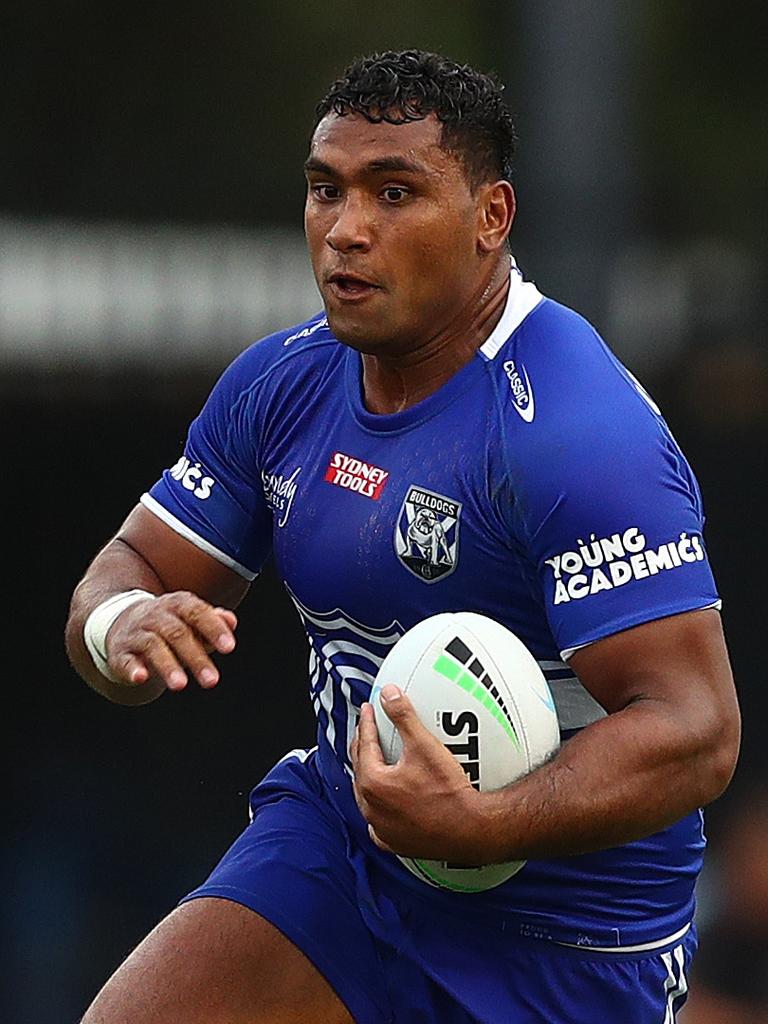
(179, 563)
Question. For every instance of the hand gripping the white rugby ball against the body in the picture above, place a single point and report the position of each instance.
(423, 805)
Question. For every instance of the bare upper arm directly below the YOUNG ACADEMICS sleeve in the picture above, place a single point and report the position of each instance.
(680, 660)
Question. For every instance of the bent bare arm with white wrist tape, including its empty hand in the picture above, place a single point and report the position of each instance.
(153, 645)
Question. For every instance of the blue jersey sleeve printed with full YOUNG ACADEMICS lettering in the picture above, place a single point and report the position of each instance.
(611, 509)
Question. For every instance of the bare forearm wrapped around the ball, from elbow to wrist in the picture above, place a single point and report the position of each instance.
(626, 777)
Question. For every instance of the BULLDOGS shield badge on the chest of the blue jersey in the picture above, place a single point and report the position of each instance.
(426, 538)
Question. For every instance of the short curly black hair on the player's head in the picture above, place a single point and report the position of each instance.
(408, 86)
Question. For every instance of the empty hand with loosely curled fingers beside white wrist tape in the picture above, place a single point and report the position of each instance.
(169, 638)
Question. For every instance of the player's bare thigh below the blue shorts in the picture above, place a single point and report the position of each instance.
(215, 962)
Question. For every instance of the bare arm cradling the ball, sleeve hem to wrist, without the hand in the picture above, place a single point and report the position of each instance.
(668, 746)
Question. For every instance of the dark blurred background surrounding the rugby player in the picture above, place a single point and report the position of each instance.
(151, 197)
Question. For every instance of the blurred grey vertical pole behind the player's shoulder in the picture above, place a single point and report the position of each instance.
(572, 67)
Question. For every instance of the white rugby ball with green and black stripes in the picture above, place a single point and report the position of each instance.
(480, 691)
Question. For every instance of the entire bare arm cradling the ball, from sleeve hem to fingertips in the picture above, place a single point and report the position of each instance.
(668, 746)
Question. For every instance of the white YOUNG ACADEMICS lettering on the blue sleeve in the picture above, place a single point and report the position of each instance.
(614, 562)
